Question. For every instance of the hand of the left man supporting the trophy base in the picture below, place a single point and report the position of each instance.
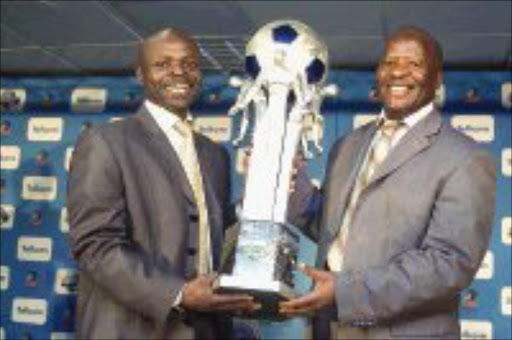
(198, 295)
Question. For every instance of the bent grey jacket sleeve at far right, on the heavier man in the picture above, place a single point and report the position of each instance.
(444, 263)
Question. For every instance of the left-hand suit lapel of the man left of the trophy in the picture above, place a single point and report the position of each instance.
(166, 152)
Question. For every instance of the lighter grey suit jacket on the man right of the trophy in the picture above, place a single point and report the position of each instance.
(418, 234)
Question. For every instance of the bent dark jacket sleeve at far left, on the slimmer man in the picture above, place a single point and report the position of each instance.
(100, 234)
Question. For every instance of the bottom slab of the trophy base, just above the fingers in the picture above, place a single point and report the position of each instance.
(267, 295)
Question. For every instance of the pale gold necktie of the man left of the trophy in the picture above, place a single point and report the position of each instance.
(193, 172)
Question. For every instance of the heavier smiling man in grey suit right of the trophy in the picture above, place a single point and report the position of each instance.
(400, 235)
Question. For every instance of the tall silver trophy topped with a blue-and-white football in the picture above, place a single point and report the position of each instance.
(287, 64)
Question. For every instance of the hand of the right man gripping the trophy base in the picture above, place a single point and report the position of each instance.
(322, 295)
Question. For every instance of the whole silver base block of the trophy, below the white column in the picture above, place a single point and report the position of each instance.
(263, 267)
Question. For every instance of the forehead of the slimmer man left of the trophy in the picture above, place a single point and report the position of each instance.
(173, 46)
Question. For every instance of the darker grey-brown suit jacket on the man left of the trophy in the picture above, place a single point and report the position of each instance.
(133, 227)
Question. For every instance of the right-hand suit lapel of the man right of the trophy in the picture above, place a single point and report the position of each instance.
(416, 140)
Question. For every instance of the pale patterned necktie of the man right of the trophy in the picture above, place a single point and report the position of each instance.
(379, 151)
